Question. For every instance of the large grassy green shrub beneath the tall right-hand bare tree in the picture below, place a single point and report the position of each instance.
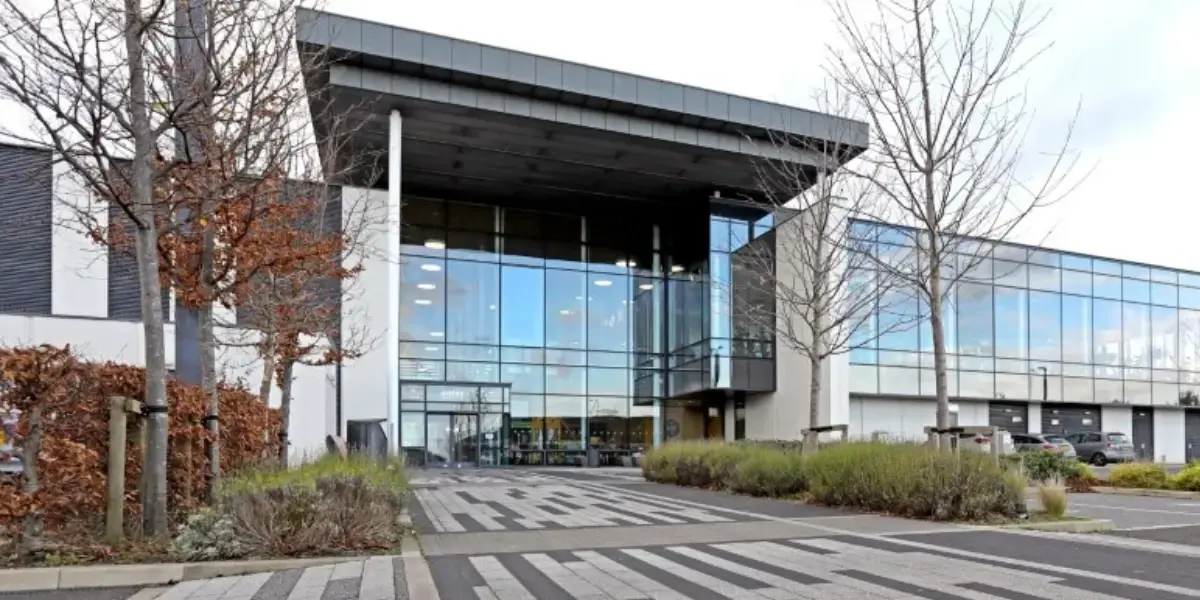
(914, 482)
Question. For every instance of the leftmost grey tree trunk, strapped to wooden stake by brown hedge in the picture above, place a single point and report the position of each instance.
(154, 505)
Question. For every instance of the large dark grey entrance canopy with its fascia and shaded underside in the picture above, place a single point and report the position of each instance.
(482, 122)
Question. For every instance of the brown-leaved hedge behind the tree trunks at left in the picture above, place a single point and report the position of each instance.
(73, 397)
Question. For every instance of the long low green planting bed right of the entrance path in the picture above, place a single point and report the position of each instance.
(907, 481)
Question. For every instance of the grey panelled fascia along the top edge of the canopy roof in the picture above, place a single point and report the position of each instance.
(375, 45)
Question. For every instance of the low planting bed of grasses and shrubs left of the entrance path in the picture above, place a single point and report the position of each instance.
(328, 508)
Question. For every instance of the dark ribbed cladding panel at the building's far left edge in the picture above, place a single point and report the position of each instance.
(27, 208)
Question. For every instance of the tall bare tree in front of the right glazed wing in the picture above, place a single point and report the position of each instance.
(938, 83)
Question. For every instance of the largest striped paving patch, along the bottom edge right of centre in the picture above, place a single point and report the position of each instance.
(811, 568)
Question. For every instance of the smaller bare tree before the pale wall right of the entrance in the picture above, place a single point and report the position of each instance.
(812, 281)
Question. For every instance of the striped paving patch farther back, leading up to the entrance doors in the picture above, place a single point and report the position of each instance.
(461, 509)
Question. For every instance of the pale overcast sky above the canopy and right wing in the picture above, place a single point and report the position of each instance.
(1136, 68)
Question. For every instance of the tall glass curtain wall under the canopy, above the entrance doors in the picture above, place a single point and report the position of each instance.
(566, 313)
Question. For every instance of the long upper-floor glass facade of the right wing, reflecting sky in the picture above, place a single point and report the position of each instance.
(1030, 325)
